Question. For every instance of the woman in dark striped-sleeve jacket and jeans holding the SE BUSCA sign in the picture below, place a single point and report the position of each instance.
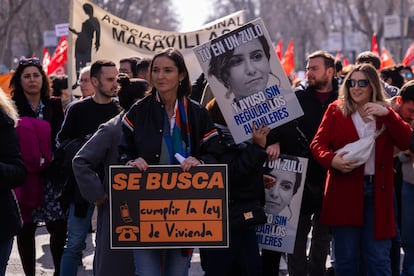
(157, 128)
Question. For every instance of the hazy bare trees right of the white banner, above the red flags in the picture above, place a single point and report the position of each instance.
(309, 22)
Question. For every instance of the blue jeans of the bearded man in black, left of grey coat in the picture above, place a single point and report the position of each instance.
(75, 242)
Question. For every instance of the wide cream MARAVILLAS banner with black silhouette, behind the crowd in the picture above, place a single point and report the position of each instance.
(96, 34)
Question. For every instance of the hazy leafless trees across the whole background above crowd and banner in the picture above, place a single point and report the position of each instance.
(308, 22)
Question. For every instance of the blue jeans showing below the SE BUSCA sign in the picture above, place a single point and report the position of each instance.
(148, 262)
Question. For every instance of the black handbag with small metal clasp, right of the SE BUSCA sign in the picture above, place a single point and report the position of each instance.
(246, 214)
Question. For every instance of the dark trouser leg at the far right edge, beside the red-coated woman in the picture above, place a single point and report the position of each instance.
(407, 228)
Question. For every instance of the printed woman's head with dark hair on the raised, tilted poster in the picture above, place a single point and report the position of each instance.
(243, 67)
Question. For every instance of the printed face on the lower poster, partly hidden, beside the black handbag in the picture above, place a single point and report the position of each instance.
(280, 194)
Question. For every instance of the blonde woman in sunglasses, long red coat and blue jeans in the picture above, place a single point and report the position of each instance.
(358, 201)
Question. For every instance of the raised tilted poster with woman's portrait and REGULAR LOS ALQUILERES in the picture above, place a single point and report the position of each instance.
(247, 79)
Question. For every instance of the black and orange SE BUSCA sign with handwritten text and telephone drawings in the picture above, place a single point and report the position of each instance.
(165, 207)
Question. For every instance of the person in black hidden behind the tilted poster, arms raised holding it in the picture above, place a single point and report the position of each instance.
(246, 199)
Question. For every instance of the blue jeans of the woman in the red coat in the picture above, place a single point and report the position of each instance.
(356, 250)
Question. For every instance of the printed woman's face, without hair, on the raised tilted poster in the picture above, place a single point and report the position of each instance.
(249, 69)
